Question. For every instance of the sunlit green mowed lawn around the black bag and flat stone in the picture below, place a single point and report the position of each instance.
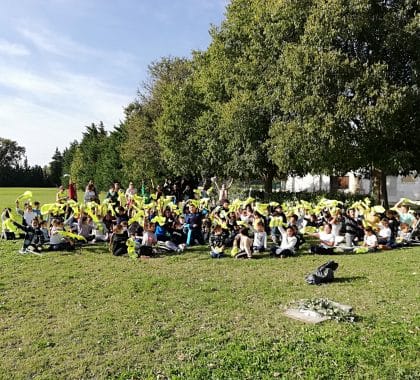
(91, 315)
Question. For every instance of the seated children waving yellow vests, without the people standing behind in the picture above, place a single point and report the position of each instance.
(247, 230)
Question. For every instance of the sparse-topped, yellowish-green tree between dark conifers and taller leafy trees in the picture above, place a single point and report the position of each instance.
(156, 137)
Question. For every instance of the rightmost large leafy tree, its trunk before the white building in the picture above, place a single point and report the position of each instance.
(350, 90)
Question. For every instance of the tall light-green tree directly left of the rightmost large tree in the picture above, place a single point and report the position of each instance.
(237, 77)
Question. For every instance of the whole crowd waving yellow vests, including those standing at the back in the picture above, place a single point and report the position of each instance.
(144, 224)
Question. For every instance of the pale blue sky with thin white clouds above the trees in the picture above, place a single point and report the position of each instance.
(67, 63)
